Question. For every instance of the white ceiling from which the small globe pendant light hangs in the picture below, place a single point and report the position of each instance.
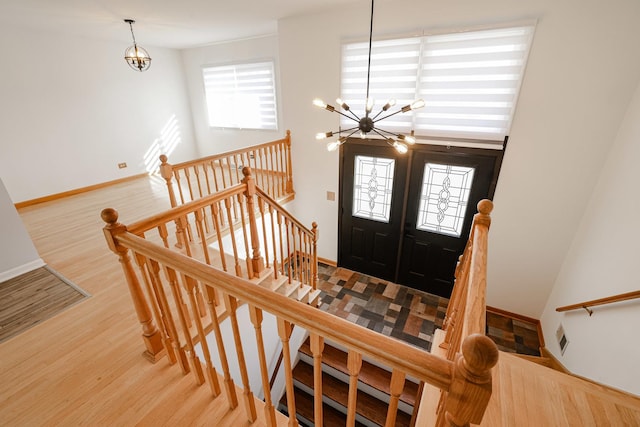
(165, 23)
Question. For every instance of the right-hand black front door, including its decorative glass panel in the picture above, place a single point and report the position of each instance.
(443, 192)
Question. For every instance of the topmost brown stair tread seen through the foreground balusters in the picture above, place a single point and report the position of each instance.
(370, 374)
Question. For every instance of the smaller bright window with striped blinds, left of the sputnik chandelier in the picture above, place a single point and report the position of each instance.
(241, 96)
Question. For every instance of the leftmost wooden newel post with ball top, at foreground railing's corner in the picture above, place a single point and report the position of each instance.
(150, 333)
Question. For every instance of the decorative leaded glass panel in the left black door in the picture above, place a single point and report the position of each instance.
(373, 187)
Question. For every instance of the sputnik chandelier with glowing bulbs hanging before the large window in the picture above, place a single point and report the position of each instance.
(369, 123)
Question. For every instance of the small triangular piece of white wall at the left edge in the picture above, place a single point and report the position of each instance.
(17, 253)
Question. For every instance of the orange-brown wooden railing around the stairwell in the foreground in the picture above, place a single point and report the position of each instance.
(184, 298)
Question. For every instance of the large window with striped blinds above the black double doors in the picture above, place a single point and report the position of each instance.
(469, 81)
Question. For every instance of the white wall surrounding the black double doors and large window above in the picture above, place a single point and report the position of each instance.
(579, 80)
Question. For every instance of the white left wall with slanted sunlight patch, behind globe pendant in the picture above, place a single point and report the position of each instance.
(71, 110)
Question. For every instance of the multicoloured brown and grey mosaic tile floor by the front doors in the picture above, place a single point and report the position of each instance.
(408, 314)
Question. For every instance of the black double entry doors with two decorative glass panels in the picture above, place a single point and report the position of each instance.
(406, 217)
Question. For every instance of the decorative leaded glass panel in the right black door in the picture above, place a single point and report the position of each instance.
(444, 198)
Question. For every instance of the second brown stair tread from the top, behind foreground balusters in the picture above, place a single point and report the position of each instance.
(367, 406)
